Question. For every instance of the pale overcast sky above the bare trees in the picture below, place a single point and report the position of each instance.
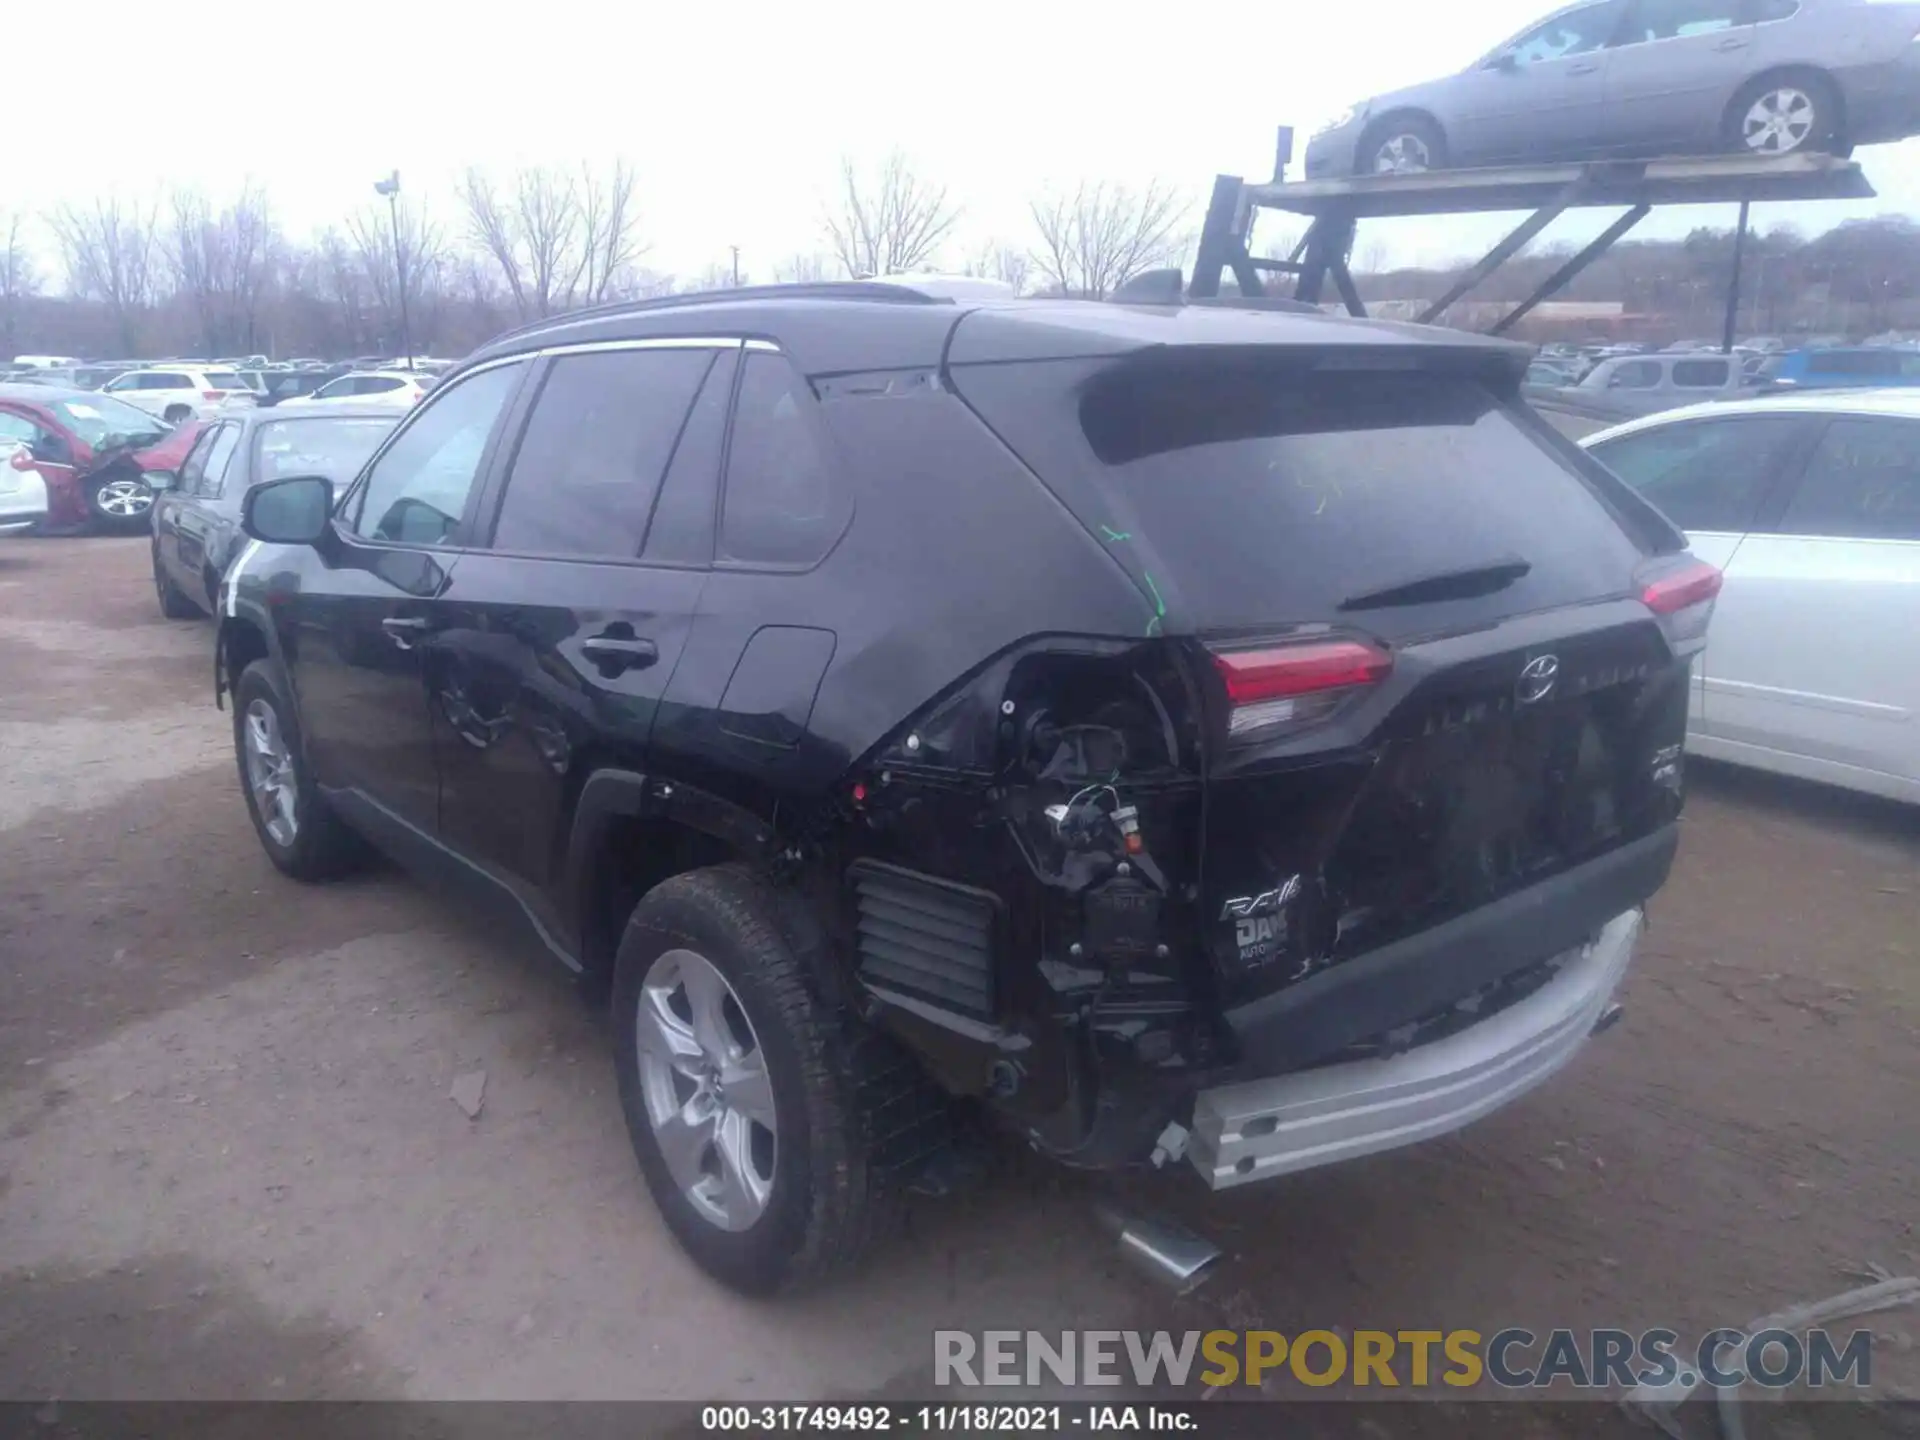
(736, 116)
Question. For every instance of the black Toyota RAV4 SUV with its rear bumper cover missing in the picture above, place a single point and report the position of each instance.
(1174, 732)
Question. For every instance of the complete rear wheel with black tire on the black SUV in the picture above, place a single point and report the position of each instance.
(754, 1103)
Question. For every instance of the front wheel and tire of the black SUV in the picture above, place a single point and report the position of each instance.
(300, 834)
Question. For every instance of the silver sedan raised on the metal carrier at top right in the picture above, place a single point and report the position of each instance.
(1652, 78)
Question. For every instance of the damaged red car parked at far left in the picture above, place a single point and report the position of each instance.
(95, 454)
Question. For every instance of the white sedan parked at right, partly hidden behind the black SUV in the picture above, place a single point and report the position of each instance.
(1812, 508)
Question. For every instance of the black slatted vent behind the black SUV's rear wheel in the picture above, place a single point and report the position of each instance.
(926, 938)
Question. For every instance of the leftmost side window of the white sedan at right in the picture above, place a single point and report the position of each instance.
(1706, 475)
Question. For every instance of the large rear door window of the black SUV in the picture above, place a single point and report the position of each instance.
(594, 452)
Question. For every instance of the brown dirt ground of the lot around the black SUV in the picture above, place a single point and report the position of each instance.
(229, 1164)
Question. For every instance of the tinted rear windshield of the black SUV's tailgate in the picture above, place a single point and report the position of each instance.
(1264, 496)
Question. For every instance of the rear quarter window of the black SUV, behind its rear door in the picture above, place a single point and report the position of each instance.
(782, 504)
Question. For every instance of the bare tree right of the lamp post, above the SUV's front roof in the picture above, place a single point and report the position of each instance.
(556, 239)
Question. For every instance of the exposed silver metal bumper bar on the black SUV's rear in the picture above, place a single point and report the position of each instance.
(1310, 1118)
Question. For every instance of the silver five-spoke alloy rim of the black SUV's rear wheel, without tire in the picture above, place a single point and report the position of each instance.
(709, 1097)
